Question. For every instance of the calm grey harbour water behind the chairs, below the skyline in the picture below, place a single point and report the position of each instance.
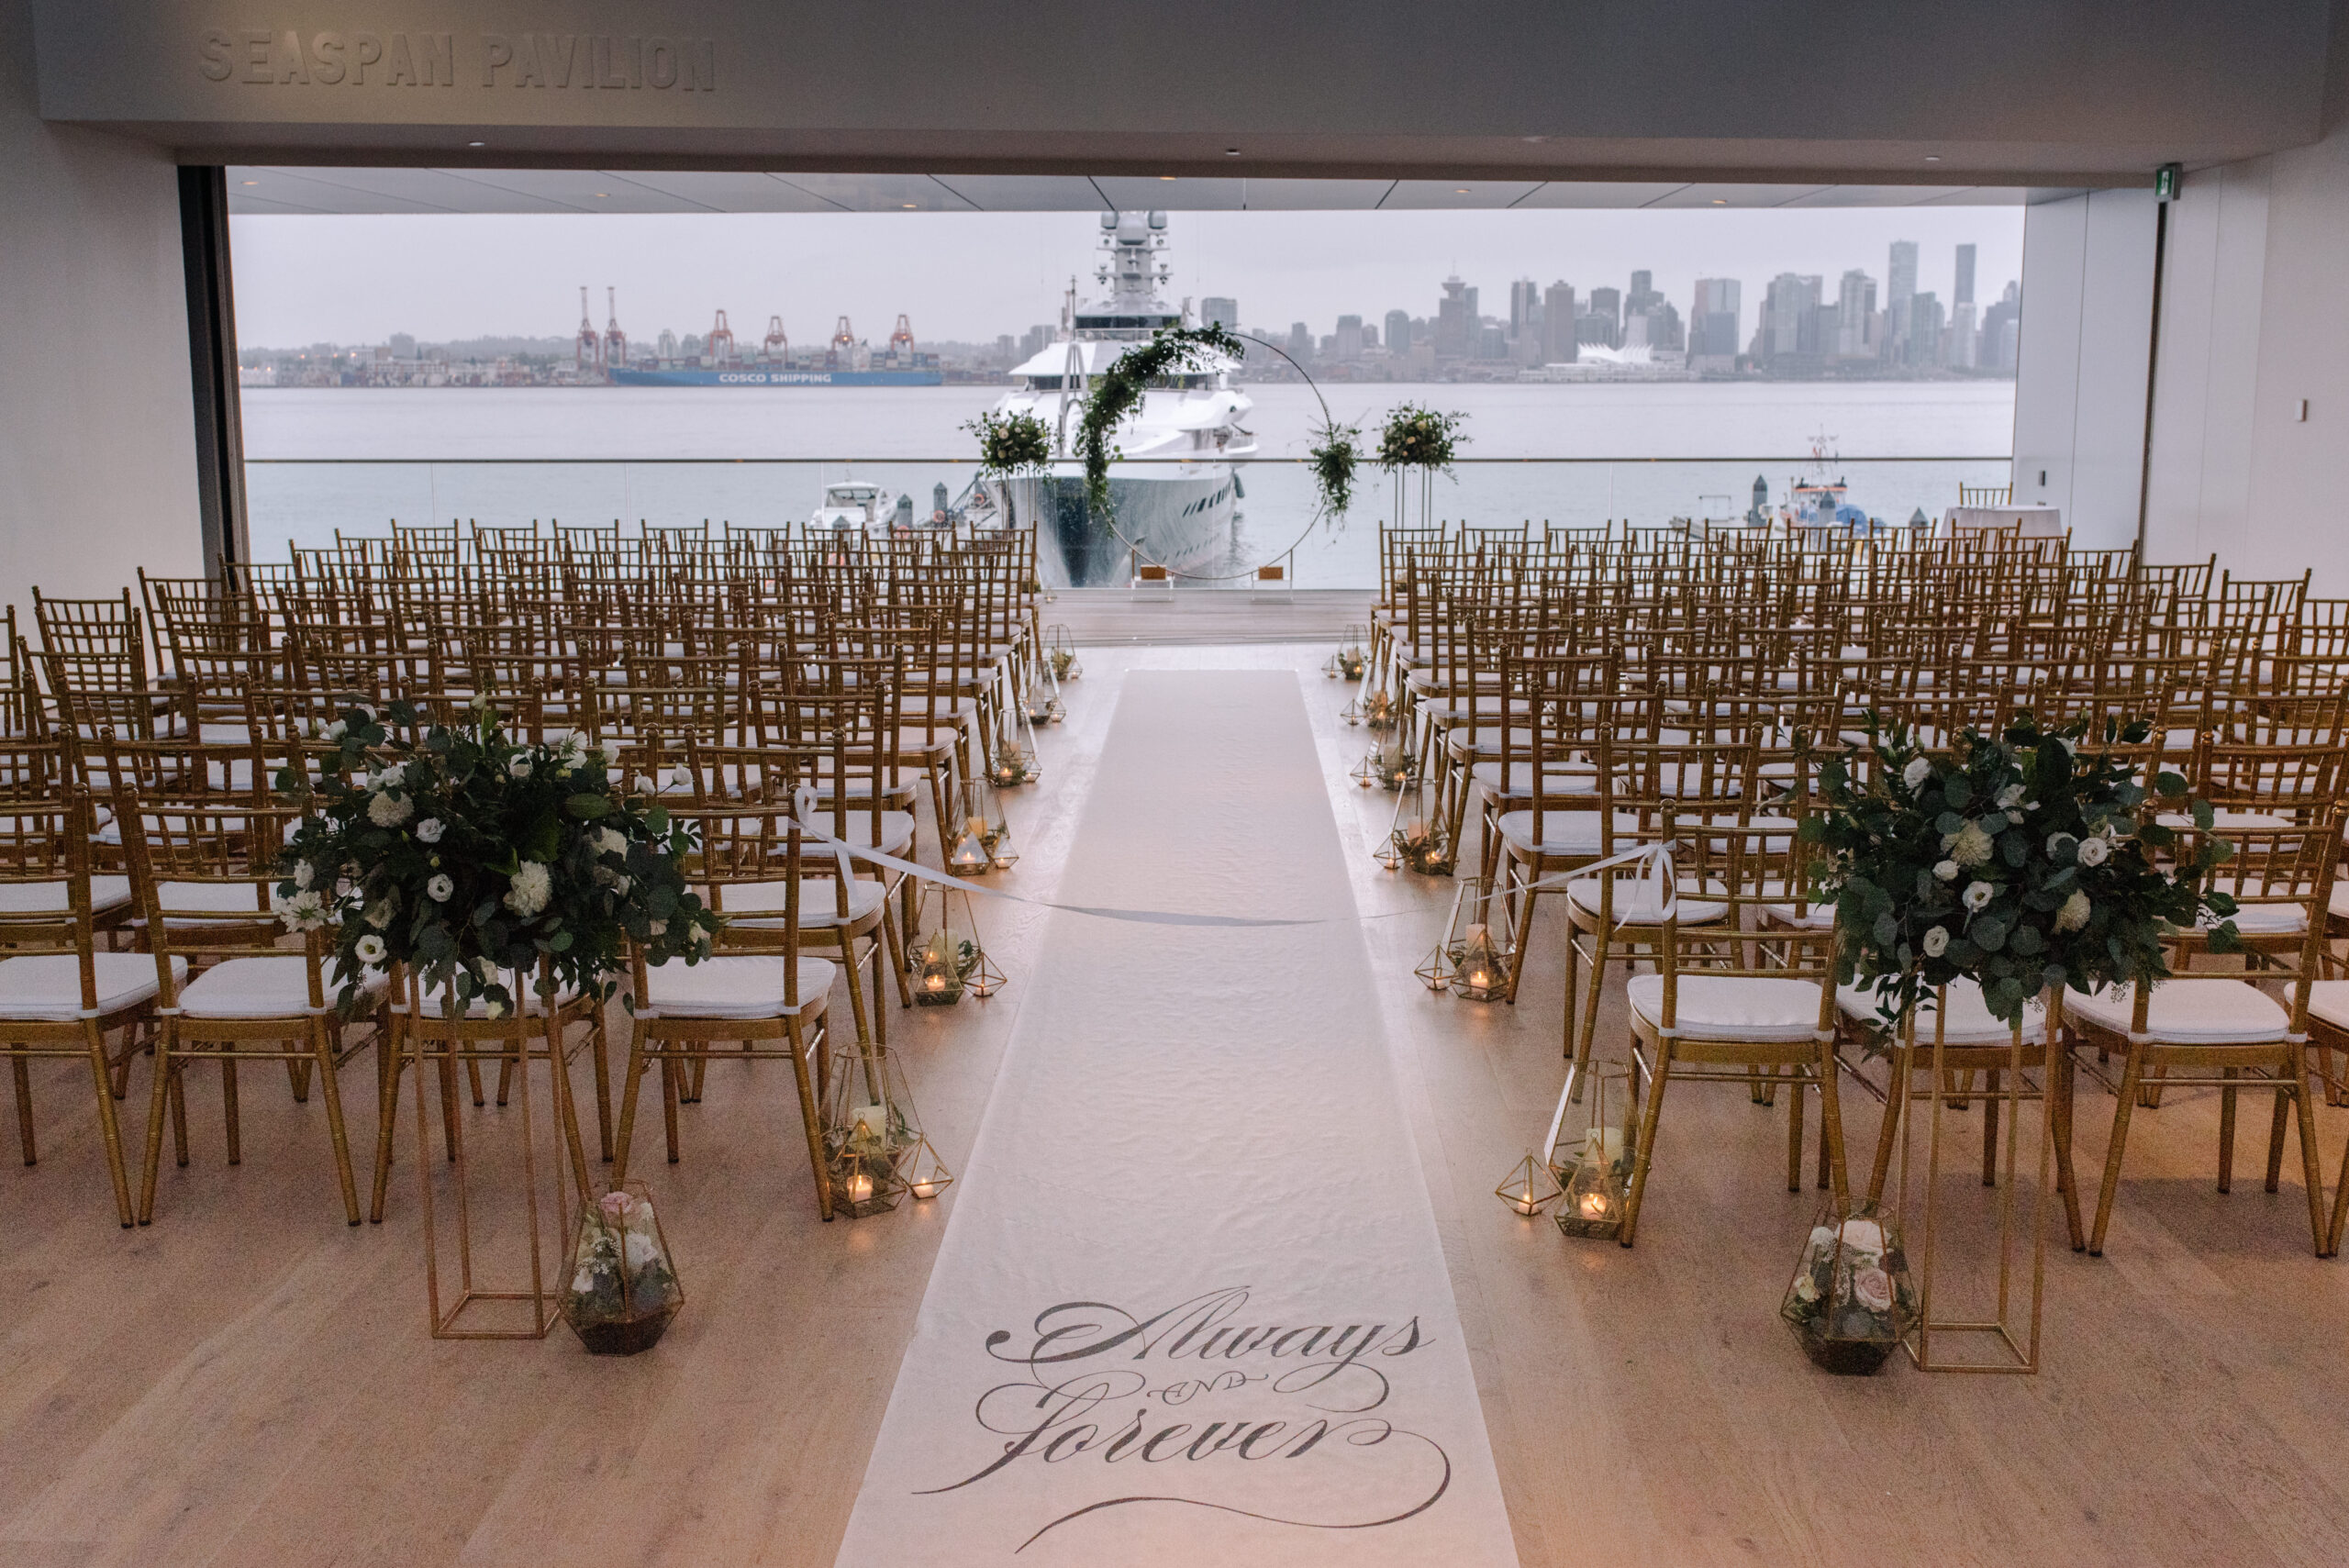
(506, 457)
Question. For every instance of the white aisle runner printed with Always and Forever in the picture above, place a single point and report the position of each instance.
(1192, 1306)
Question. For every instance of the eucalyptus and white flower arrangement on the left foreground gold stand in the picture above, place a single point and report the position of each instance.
(464, 856)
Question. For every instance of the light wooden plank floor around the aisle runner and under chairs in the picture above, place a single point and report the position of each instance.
(250, 1381)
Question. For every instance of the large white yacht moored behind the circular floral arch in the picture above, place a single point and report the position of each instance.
(1176, 494)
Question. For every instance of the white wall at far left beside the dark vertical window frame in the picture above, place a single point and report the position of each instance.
(97, 424)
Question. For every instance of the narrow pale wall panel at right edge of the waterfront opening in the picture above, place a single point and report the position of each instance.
(2087, 339)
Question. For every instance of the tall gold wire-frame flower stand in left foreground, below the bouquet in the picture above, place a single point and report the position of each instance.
(513, 1299)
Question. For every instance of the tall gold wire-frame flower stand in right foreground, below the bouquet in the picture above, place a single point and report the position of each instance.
(2005, 1339)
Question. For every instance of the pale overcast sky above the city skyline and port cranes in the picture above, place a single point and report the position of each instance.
(974, 276)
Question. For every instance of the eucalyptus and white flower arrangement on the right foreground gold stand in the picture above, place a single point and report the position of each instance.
(2024, 863)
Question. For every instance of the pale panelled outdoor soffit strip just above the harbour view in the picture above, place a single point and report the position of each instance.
(438, 191)
